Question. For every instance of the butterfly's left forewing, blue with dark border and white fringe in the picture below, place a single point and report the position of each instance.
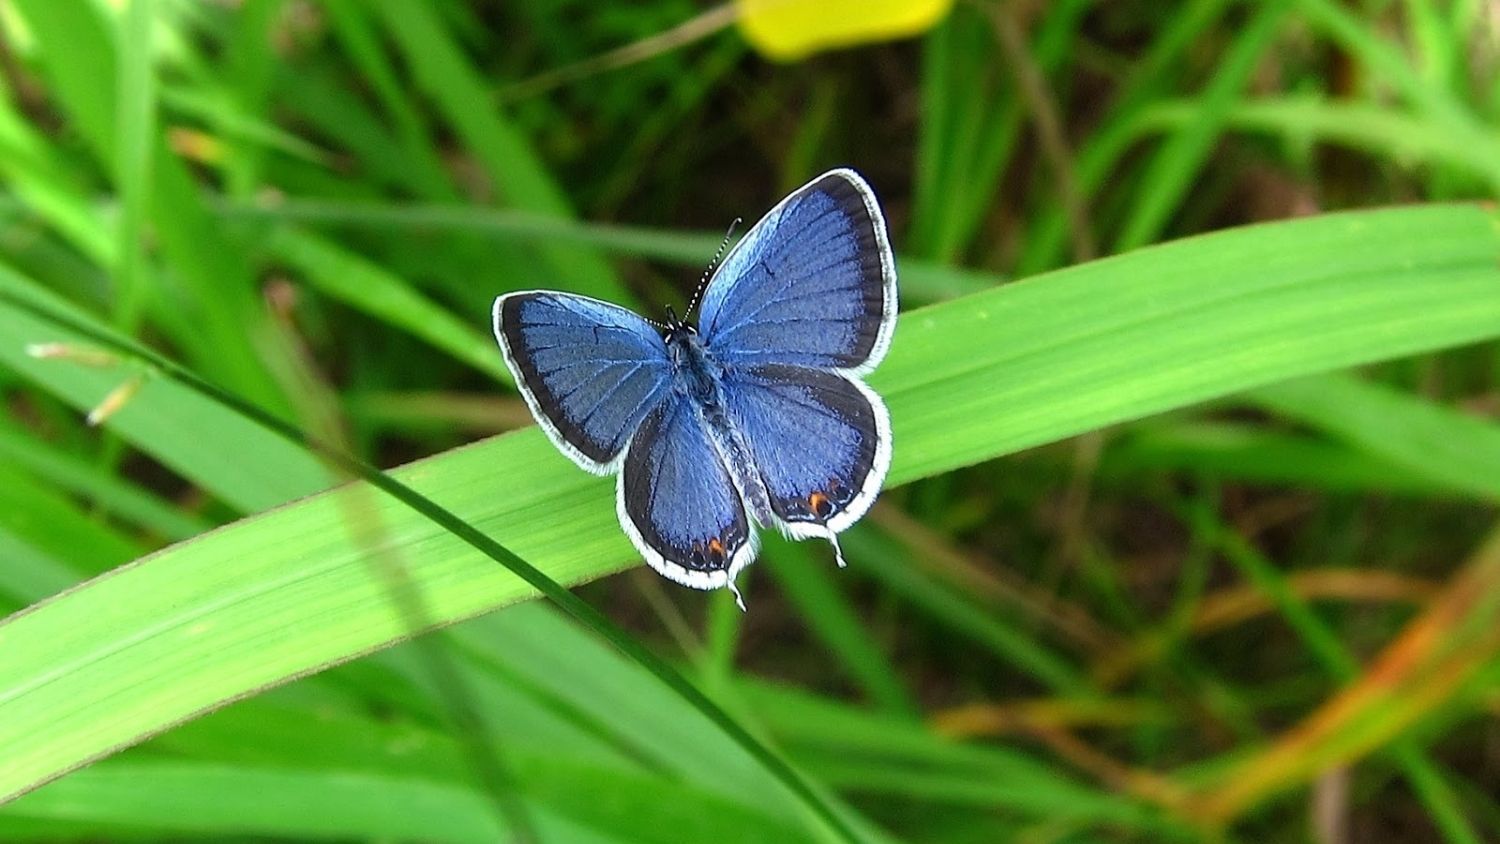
(590, 371)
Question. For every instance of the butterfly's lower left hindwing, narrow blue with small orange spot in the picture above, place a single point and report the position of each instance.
(679, 503)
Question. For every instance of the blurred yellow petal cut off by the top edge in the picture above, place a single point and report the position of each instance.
(791, 29)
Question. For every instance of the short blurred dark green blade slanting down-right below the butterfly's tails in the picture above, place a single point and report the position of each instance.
(809, 585)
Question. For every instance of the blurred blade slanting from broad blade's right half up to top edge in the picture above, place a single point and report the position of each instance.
(1177, 164)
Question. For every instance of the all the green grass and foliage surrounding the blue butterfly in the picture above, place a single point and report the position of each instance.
(1132, 582)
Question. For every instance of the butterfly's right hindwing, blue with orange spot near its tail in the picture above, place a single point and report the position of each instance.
(821, 443)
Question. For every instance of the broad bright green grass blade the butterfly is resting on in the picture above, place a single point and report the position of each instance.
(289, 591)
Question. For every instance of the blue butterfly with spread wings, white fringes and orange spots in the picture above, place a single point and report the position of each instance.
(755, 418)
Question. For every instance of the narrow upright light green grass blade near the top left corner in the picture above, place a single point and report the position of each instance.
(136, 130)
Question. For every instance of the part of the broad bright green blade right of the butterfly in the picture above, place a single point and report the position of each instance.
(1042, 361)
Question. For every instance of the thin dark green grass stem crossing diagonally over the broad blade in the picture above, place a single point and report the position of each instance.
(575, 606)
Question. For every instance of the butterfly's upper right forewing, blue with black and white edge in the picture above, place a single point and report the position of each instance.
(812, 284)
